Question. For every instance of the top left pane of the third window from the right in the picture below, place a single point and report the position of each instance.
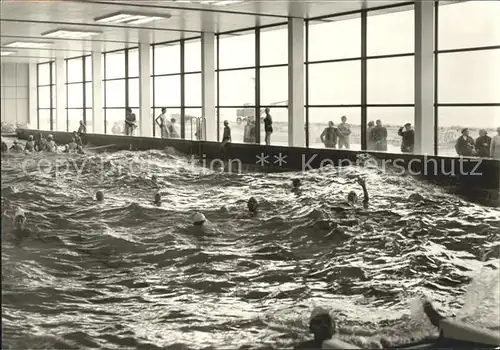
(237, 50)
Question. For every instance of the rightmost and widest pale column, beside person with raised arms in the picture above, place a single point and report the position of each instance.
(424, 77)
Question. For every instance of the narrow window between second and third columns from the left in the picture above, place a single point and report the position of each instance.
(79, 92)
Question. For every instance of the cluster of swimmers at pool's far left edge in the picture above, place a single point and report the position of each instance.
(41, 144)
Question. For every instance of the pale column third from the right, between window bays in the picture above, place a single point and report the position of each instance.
(208, 86)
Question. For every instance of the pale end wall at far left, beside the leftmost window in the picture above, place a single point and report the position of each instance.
(14, 93)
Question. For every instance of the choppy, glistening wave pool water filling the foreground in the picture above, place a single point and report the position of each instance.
(126, 273)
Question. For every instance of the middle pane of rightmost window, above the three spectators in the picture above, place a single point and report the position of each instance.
(469, 77)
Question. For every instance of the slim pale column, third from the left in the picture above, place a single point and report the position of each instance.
(97, 126)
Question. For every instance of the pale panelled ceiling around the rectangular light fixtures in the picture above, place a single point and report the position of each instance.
(27, 20)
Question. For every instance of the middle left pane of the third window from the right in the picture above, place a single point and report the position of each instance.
(237, 88)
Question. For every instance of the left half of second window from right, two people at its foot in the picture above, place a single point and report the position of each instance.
(333, 75)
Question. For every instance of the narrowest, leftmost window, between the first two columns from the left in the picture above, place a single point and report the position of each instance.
(46, 95)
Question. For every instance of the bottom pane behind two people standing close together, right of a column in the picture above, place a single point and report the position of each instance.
(318, 121)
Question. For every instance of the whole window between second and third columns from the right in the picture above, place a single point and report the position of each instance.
(247, 84)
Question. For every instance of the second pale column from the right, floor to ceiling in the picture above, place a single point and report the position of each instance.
(296, 120)
